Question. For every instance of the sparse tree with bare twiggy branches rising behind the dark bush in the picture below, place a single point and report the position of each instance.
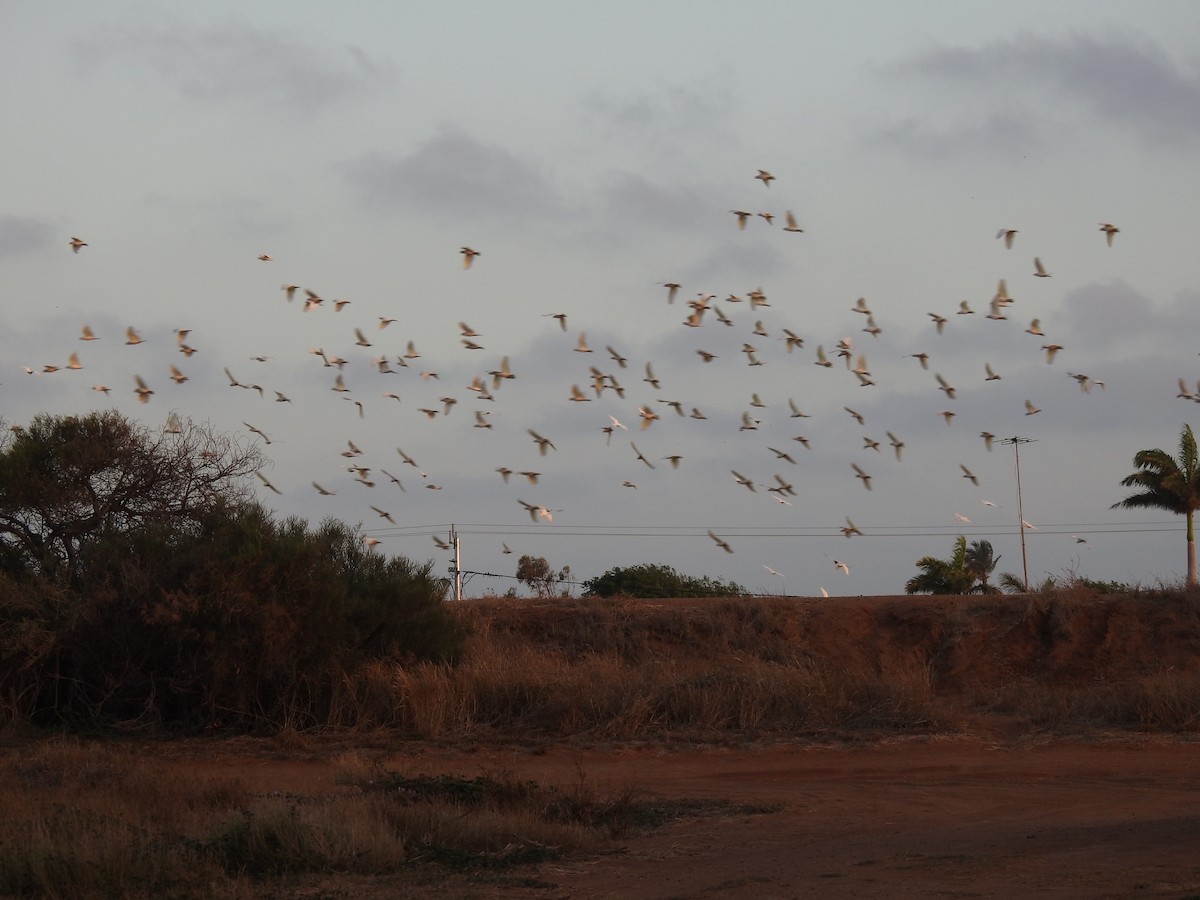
(67, 481)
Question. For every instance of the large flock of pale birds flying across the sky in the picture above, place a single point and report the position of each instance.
(729, 329)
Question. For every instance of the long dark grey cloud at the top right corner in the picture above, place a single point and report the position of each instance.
(1124, 81)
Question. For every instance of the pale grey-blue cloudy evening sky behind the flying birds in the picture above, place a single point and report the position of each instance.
(593, 154)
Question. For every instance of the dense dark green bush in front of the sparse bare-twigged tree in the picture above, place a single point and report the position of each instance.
(224, 617)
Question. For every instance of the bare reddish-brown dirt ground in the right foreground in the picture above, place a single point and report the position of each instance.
(901, 819)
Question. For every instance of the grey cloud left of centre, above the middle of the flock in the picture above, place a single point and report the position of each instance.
(454, 175)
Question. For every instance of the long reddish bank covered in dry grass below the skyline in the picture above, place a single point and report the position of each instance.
(721, 670)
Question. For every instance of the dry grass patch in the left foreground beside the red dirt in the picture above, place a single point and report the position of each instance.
(101, 821)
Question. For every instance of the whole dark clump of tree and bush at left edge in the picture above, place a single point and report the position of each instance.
(140, 585)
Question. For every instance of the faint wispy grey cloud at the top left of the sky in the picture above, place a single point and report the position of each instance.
(238, 62)
